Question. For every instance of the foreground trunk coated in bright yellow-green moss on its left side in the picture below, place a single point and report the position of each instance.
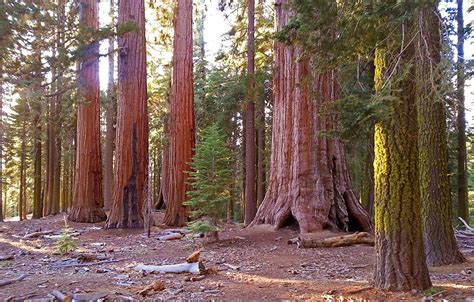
(400, 258)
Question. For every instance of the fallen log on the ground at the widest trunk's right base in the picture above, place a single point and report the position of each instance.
(356, 238)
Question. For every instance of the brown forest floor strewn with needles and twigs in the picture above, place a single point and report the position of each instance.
(249, 264)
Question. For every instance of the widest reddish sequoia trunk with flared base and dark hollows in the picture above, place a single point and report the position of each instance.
(309, 181)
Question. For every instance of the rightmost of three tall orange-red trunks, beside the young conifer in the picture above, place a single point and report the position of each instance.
(181, 117)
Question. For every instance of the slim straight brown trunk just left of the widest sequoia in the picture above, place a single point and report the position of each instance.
(250, 150)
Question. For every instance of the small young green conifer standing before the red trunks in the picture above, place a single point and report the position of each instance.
(211, 180)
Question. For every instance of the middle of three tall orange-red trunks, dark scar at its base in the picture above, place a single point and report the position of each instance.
(131, 163)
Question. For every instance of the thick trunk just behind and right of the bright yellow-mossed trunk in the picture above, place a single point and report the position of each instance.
(438, 235)
